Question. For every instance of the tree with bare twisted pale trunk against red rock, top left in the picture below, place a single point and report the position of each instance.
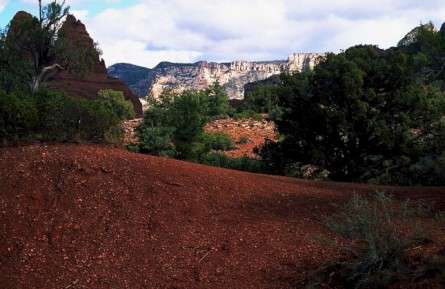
(35, 48)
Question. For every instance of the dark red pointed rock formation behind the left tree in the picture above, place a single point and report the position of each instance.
(89, 84)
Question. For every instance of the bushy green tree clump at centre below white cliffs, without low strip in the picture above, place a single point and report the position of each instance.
(175, 123)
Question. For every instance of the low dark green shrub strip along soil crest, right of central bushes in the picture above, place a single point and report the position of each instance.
(243, 164)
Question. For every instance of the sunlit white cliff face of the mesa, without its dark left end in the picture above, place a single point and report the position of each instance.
(232, 76)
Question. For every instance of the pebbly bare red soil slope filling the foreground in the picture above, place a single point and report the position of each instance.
(96, 217)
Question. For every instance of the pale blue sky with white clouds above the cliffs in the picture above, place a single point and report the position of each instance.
(146, 32)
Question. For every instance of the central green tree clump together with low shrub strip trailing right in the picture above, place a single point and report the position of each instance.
(174, 126)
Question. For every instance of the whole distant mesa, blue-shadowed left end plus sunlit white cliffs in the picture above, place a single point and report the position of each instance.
(233, 76)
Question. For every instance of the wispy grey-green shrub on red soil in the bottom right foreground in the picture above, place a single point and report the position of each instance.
(382, 231)
